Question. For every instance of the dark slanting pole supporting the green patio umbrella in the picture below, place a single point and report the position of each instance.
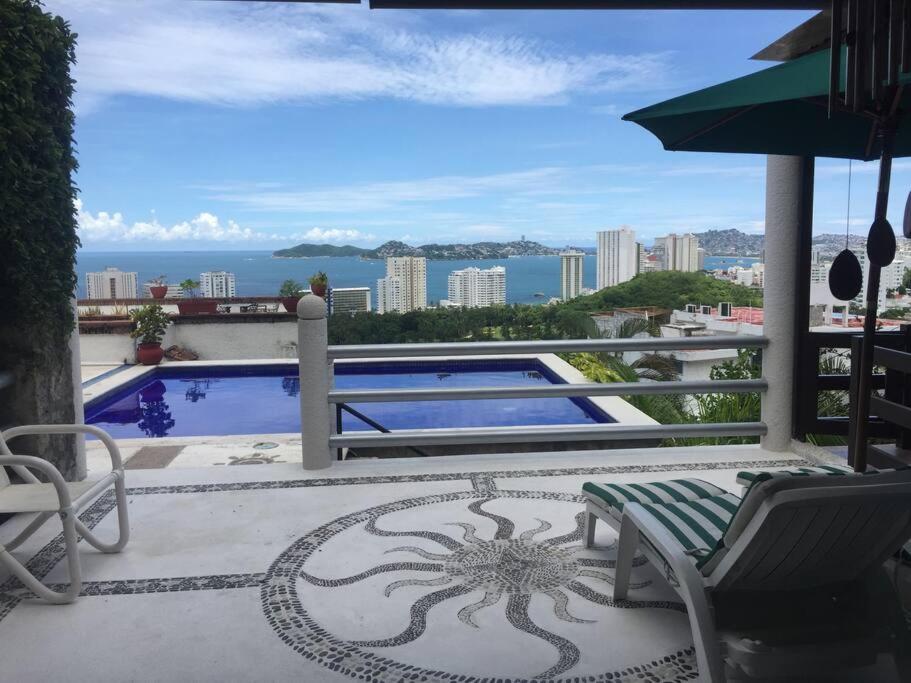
(861, 414)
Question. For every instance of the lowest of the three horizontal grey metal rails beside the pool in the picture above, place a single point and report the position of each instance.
(533, 434)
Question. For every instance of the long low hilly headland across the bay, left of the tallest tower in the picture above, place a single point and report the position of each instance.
(479, 250)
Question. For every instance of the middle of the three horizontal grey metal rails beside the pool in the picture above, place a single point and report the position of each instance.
(549, 391)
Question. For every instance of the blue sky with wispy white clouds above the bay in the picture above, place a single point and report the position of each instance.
(239, 125)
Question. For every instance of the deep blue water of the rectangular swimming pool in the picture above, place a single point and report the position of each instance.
(175, 401)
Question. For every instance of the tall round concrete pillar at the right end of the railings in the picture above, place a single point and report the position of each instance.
(786, 209)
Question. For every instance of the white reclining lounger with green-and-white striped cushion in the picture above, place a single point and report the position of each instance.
(786, 580)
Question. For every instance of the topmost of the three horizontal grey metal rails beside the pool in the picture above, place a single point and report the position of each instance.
(551, 346)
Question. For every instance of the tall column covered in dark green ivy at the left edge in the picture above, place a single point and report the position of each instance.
(37, 224)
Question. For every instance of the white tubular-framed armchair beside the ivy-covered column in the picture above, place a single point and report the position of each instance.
(56, 497)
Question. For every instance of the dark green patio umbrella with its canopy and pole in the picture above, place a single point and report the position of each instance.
(786, 110)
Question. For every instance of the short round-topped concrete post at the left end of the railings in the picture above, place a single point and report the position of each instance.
(313, 362)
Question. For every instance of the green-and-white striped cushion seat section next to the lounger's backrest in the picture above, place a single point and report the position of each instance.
(697, 524)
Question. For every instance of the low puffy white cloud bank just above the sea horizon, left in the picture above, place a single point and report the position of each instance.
(205, 227)
